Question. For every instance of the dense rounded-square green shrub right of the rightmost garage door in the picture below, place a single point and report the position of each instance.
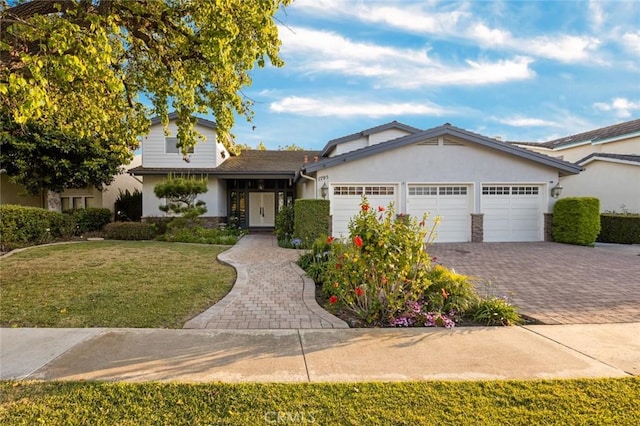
(576, 220)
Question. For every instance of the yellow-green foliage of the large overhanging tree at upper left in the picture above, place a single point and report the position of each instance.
(84, 67)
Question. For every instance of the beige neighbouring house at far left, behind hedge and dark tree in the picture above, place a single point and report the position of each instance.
(80, 198)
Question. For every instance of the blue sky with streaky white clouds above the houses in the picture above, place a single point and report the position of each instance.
(521, 70)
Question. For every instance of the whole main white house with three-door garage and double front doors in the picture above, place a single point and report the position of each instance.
(484, 189)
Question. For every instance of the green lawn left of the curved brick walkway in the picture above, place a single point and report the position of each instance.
(111, 284)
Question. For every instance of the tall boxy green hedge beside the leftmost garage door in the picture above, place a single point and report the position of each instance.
(311, 220)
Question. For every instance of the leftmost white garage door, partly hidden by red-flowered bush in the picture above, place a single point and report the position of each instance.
(346, 199)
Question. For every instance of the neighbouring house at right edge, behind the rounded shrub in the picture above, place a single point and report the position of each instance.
(610, 157)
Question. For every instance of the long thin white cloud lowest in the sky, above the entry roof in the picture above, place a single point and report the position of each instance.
(346, 107)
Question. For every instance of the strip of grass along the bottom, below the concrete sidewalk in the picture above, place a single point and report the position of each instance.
(562, 402)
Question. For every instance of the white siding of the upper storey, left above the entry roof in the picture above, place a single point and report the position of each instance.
(206, 153)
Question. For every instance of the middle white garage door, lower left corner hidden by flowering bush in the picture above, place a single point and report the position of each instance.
(451, 202)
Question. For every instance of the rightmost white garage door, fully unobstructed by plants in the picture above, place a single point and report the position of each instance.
(512, 212)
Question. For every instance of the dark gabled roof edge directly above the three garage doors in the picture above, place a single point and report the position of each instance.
(444, 130)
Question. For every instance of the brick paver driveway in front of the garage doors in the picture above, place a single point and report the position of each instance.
(555, 283)
